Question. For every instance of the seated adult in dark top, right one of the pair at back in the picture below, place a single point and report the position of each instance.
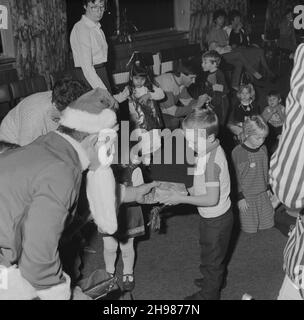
(239, 41)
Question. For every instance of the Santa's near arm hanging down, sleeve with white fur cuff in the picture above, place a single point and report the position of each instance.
(53, 194)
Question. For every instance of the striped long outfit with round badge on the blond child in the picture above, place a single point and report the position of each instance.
(251, 166)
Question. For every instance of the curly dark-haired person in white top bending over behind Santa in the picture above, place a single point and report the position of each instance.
(38, 113)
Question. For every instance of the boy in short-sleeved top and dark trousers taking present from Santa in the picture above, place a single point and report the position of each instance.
(210, 194)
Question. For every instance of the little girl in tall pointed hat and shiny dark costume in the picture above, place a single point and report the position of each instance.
(142, 94)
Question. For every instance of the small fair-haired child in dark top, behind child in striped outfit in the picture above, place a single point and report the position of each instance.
(245, 108)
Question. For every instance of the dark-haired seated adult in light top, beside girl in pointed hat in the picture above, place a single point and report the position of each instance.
(177, 103)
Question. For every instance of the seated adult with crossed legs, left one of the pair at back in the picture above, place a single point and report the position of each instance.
(218, 40)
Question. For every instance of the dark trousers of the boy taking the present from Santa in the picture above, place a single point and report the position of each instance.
(215, 236)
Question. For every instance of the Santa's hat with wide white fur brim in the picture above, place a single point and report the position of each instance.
(91, 113)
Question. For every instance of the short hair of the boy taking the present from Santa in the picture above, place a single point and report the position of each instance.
(204, 118)
